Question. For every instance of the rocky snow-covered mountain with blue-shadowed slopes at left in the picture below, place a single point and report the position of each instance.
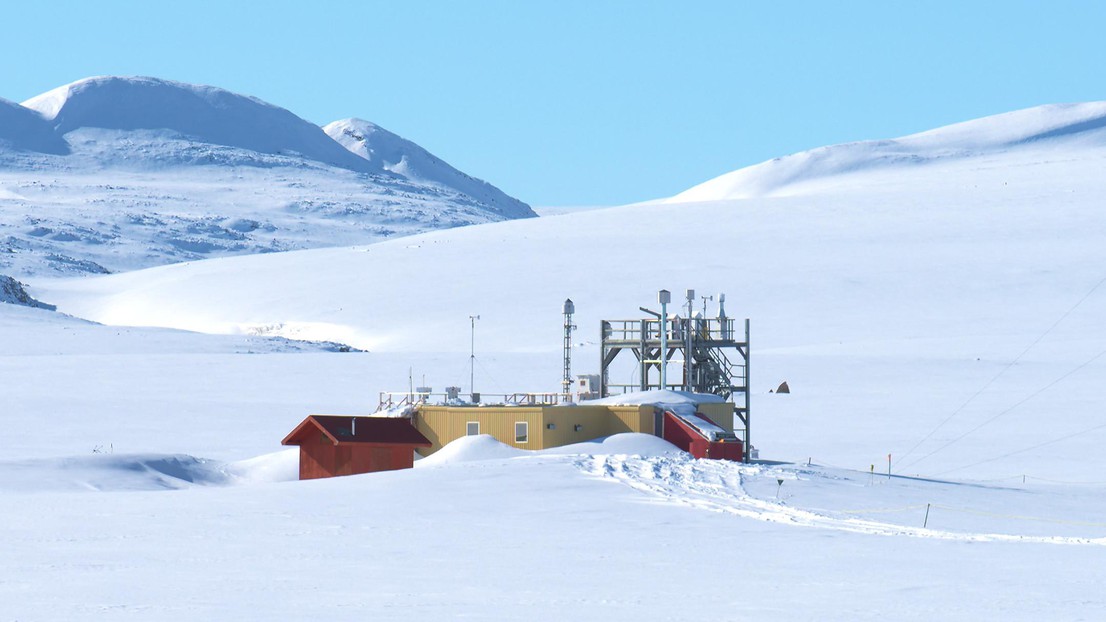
(111, 174)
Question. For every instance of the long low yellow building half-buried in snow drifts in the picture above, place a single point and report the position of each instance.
(545, 427)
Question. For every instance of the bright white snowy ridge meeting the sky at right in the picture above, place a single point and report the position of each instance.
(1058, 127)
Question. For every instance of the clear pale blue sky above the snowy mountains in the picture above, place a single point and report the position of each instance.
(589, 102)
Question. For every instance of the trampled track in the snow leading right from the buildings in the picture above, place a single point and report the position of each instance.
(717, 486)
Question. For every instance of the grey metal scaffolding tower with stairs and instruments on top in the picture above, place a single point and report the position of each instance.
(715, 356)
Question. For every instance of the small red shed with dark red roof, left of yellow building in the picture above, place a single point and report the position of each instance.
(332, 445)
